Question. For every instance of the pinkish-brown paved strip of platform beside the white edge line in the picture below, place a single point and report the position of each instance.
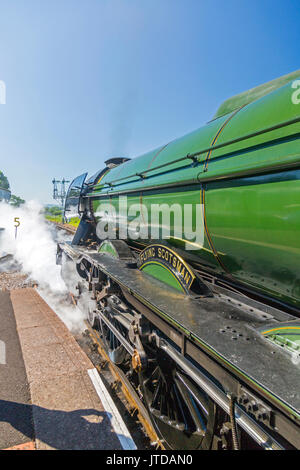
(66, 410)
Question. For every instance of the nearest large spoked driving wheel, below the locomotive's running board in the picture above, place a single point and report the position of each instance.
(182, 414)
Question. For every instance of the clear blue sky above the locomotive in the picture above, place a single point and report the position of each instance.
(88, 80)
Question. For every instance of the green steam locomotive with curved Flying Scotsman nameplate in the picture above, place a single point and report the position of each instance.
(187, 261)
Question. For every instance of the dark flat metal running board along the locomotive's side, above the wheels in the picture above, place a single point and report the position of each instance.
(224, 329)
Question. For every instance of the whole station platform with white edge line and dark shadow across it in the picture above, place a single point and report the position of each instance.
(51, 396)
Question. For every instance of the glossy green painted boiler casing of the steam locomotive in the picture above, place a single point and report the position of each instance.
(251, 189)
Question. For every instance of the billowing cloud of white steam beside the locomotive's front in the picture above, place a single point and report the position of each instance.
(34, 248)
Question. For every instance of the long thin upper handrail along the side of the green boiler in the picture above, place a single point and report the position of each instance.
(193, 156)
